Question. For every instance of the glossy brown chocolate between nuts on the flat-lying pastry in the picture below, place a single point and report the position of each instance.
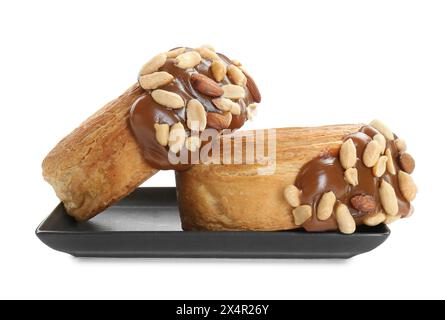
(325, 173)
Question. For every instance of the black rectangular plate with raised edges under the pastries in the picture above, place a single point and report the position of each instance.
(147, 224)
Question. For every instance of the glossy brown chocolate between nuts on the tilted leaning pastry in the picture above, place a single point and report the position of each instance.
(146, 112)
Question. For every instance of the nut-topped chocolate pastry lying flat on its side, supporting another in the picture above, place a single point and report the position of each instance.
(319, 179)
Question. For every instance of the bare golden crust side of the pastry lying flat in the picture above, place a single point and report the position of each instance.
(237, 197)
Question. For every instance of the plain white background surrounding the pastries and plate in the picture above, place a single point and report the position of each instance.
(316, 62)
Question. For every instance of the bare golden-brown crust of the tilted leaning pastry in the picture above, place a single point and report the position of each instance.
(99, 162)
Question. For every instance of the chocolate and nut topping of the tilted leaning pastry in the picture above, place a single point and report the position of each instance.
(187, 91)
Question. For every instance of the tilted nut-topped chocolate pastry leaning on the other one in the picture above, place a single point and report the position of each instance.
(179, 93)
